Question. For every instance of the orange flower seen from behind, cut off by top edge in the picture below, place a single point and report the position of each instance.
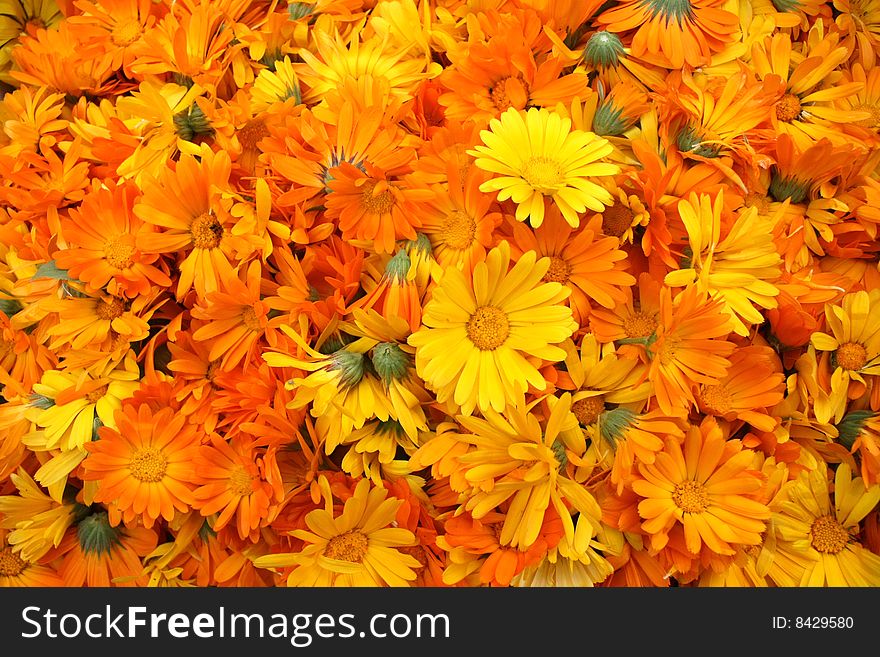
(672, 33)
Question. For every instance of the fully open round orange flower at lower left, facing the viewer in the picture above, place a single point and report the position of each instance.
(143, 466)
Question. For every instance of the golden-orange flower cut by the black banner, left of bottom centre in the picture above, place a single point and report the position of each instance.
(356, 548)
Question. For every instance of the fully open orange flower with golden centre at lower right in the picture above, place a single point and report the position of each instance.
(706, 486)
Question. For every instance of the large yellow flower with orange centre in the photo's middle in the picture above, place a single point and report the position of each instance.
(479, 334)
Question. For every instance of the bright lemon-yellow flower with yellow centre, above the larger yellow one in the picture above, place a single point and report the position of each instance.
(538, 157)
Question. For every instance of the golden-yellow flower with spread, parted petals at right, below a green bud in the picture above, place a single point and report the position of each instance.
(737, 270)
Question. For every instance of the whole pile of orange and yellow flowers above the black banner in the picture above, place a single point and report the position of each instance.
(439, 293)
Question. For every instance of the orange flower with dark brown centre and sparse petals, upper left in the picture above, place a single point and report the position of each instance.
(191, 203)
